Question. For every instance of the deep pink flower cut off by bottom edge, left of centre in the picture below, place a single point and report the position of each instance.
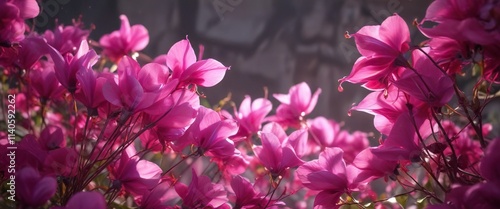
(201, 193)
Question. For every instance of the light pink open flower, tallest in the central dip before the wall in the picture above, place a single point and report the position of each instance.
(295, 105)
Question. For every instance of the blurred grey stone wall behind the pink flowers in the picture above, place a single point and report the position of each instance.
(267, 43)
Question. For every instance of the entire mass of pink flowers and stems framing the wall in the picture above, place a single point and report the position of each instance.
(101, 126)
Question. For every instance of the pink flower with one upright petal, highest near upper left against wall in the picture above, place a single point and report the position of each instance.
(124, 41)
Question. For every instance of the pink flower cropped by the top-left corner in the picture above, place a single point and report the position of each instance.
(13, 14)
